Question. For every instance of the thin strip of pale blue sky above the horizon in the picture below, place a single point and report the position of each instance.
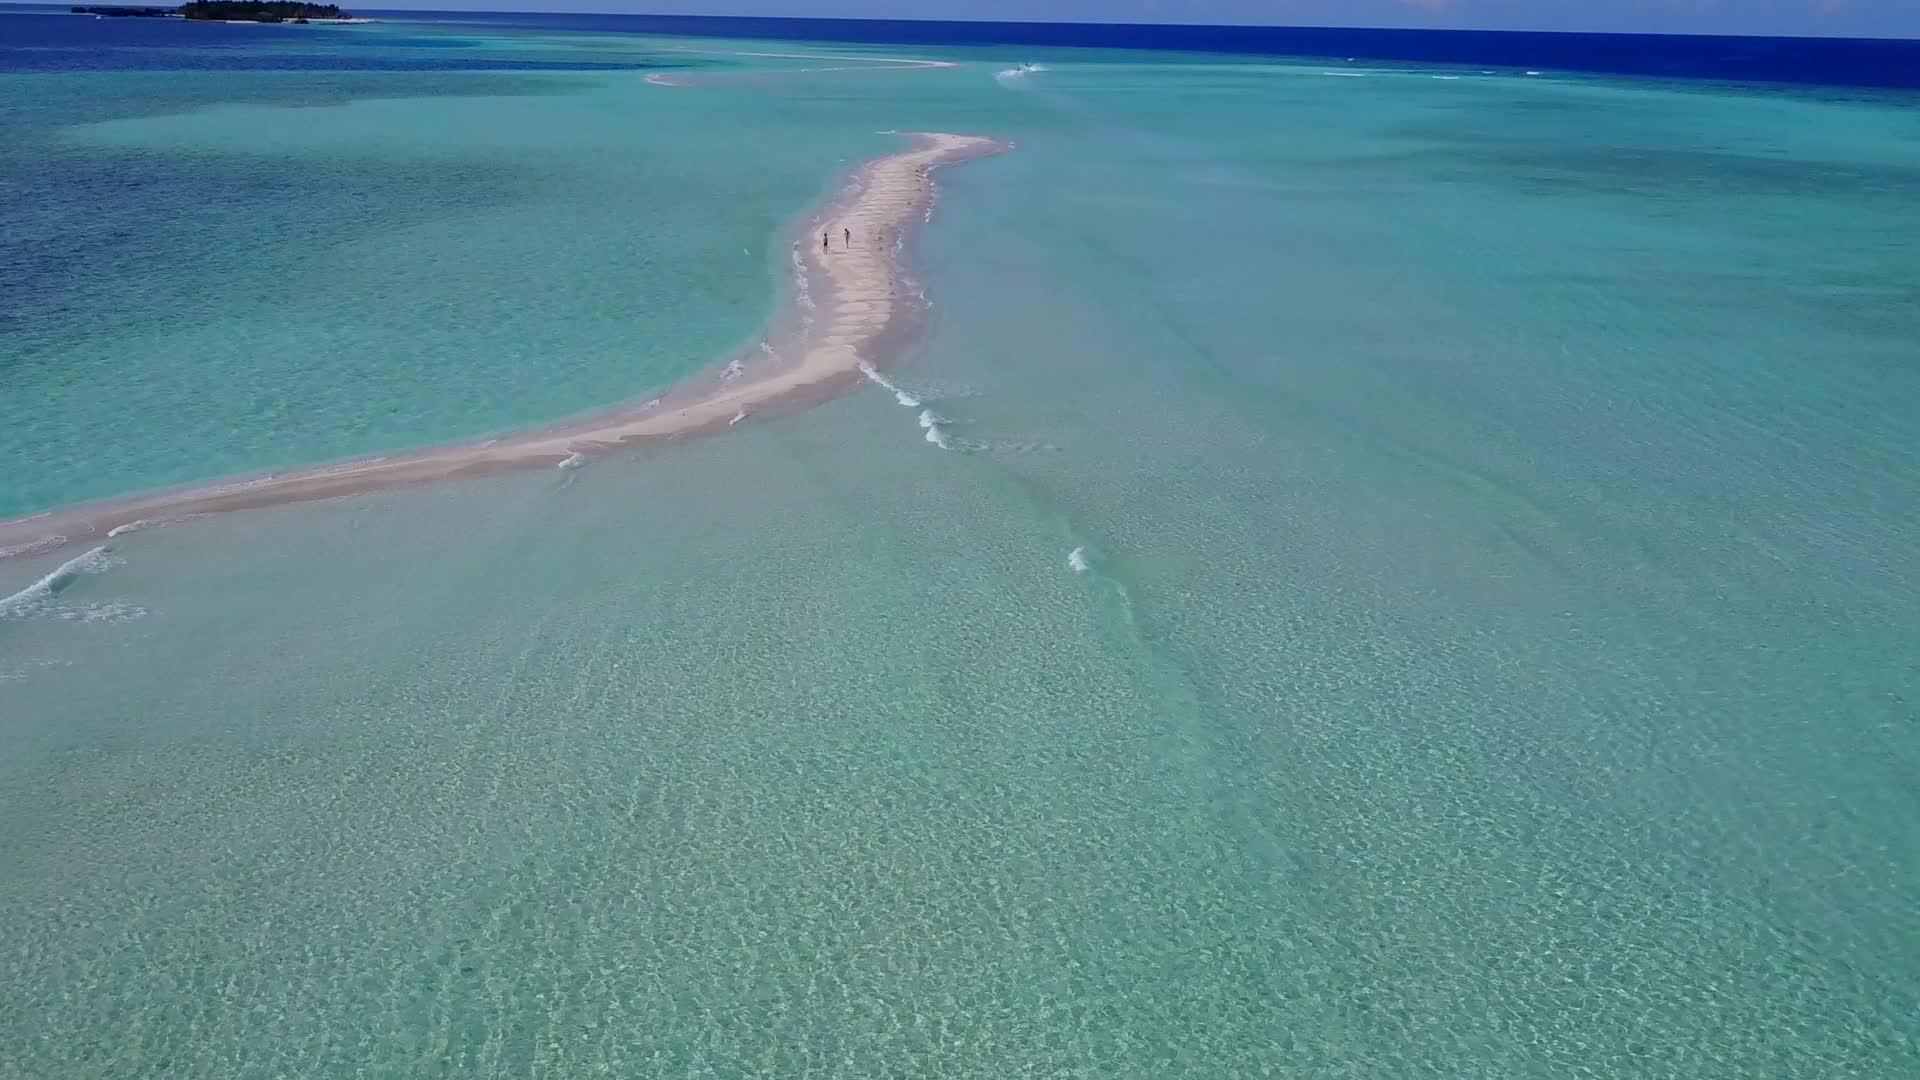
(1850, 18)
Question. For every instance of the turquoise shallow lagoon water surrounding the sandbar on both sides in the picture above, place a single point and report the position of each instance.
(1493, 654)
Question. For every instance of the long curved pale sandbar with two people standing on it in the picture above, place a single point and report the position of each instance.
(821, 353)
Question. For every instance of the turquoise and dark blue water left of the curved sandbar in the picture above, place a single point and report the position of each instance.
(251, 270)
